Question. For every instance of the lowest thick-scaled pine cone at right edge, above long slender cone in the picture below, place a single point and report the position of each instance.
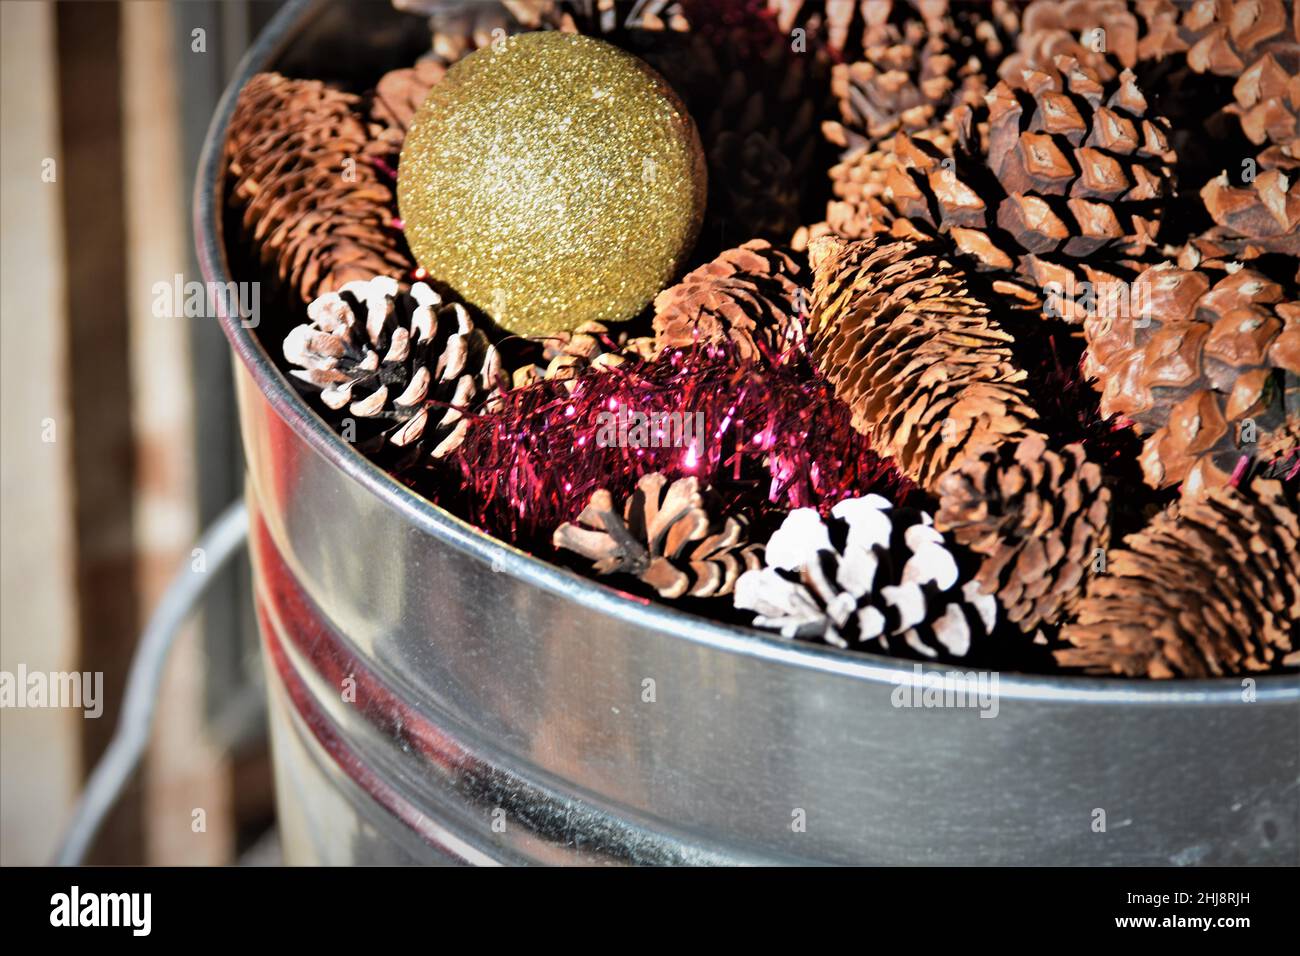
(1214, 357)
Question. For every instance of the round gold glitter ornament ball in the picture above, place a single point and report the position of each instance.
(552, 179)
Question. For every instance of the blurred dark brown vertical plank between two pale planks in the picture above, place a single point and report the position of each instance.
(98, 375)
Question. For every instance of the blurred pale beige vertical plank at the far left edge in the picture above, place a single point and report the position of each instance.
(40, 750)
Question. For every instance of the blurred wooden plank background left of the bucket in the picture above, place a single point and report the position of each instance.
(105, 107)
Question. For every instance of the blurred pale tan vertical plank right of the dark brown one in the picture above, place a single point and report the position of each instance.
(188, 798)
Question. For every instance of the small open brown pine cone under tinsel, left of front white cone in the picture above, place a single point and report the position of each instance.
(665, 537)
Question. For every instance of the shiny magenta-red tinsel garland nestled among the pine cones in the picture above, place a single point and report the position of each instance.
(773, 438)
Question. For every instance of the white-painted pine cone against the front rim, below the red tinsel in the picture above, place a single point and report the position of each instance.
(872, 577)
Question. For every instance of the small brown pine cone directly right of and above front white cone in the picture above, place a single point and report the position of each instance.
(1037, 517)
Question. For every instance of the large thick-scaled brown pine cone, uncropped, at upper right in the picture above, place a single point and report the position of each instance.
(1071, 172)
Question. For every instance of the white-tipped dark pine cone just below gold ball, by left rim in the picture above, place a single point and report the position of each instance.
(406, 367)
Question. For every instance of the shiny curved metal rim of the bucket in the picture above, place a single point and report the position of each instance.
(448, 527)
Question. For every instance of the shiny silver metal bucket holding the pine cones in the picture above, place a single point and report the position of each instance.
(439, 697)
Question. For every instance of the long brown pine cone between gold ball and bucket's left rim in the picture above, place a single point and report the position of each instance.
(314, 207)
